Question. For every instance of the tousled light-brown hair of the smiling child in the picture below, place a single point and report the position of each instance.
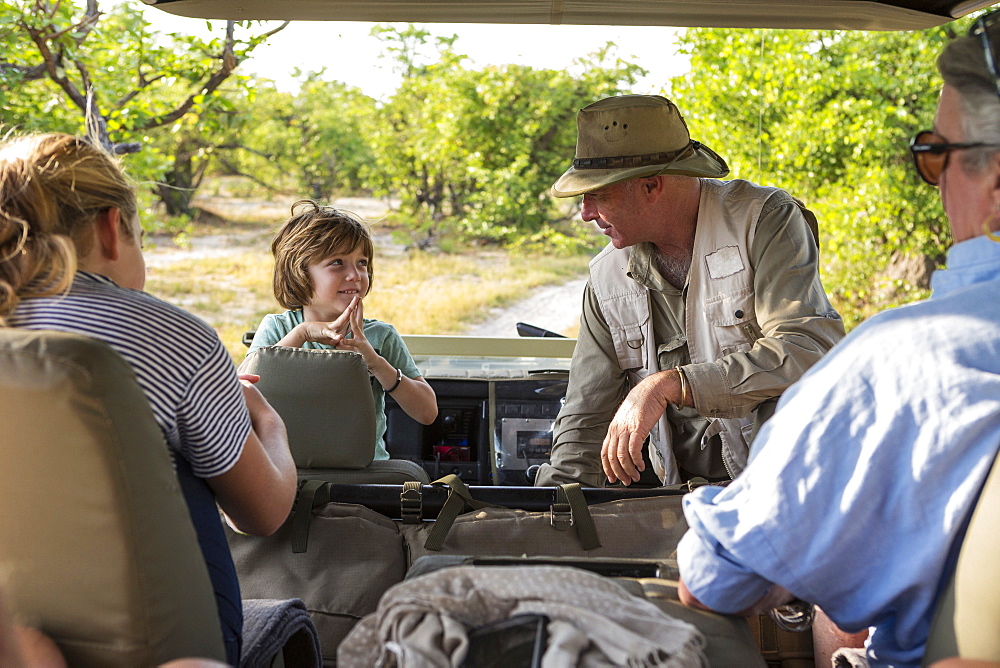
(314, 232)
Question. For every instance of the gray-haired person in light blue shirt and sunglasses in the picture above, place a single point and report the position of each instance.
(861, 486)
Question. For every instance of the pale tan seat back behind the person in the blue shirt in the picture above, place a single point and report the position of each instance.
(968, 615)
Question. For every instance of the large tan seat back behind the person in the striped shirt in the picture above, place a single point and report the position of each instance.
(97, 548)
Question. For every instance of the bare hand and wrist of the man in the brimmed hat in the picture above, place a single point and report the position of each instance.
(621, 454)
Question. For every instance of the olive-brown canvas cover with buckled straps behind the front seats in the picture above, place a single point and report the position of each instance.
(345, 545)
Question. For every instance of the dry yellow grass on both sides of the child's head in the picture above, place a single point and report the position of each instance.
(419, 293)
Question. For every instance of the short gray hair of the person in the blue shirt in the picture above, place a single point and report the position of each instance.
(963, 67)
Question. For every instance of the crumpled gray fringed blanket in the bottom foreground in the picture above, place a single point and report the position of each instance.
(594, 623)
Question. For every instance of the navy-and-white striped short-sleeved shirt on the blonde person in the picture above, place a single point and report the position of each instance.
(180, 364)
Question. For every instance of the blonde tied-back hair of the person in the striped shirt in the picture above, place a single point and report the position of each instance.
(52, 187)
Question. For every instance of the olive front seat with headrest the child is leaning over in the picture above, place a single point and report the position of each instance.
(325, 399)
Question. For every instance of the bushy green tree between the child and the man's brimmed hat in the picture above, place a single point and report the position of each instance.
(475, 151)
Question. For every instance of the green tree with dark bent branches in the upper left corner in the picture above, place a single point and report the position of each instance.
(113, 74)
